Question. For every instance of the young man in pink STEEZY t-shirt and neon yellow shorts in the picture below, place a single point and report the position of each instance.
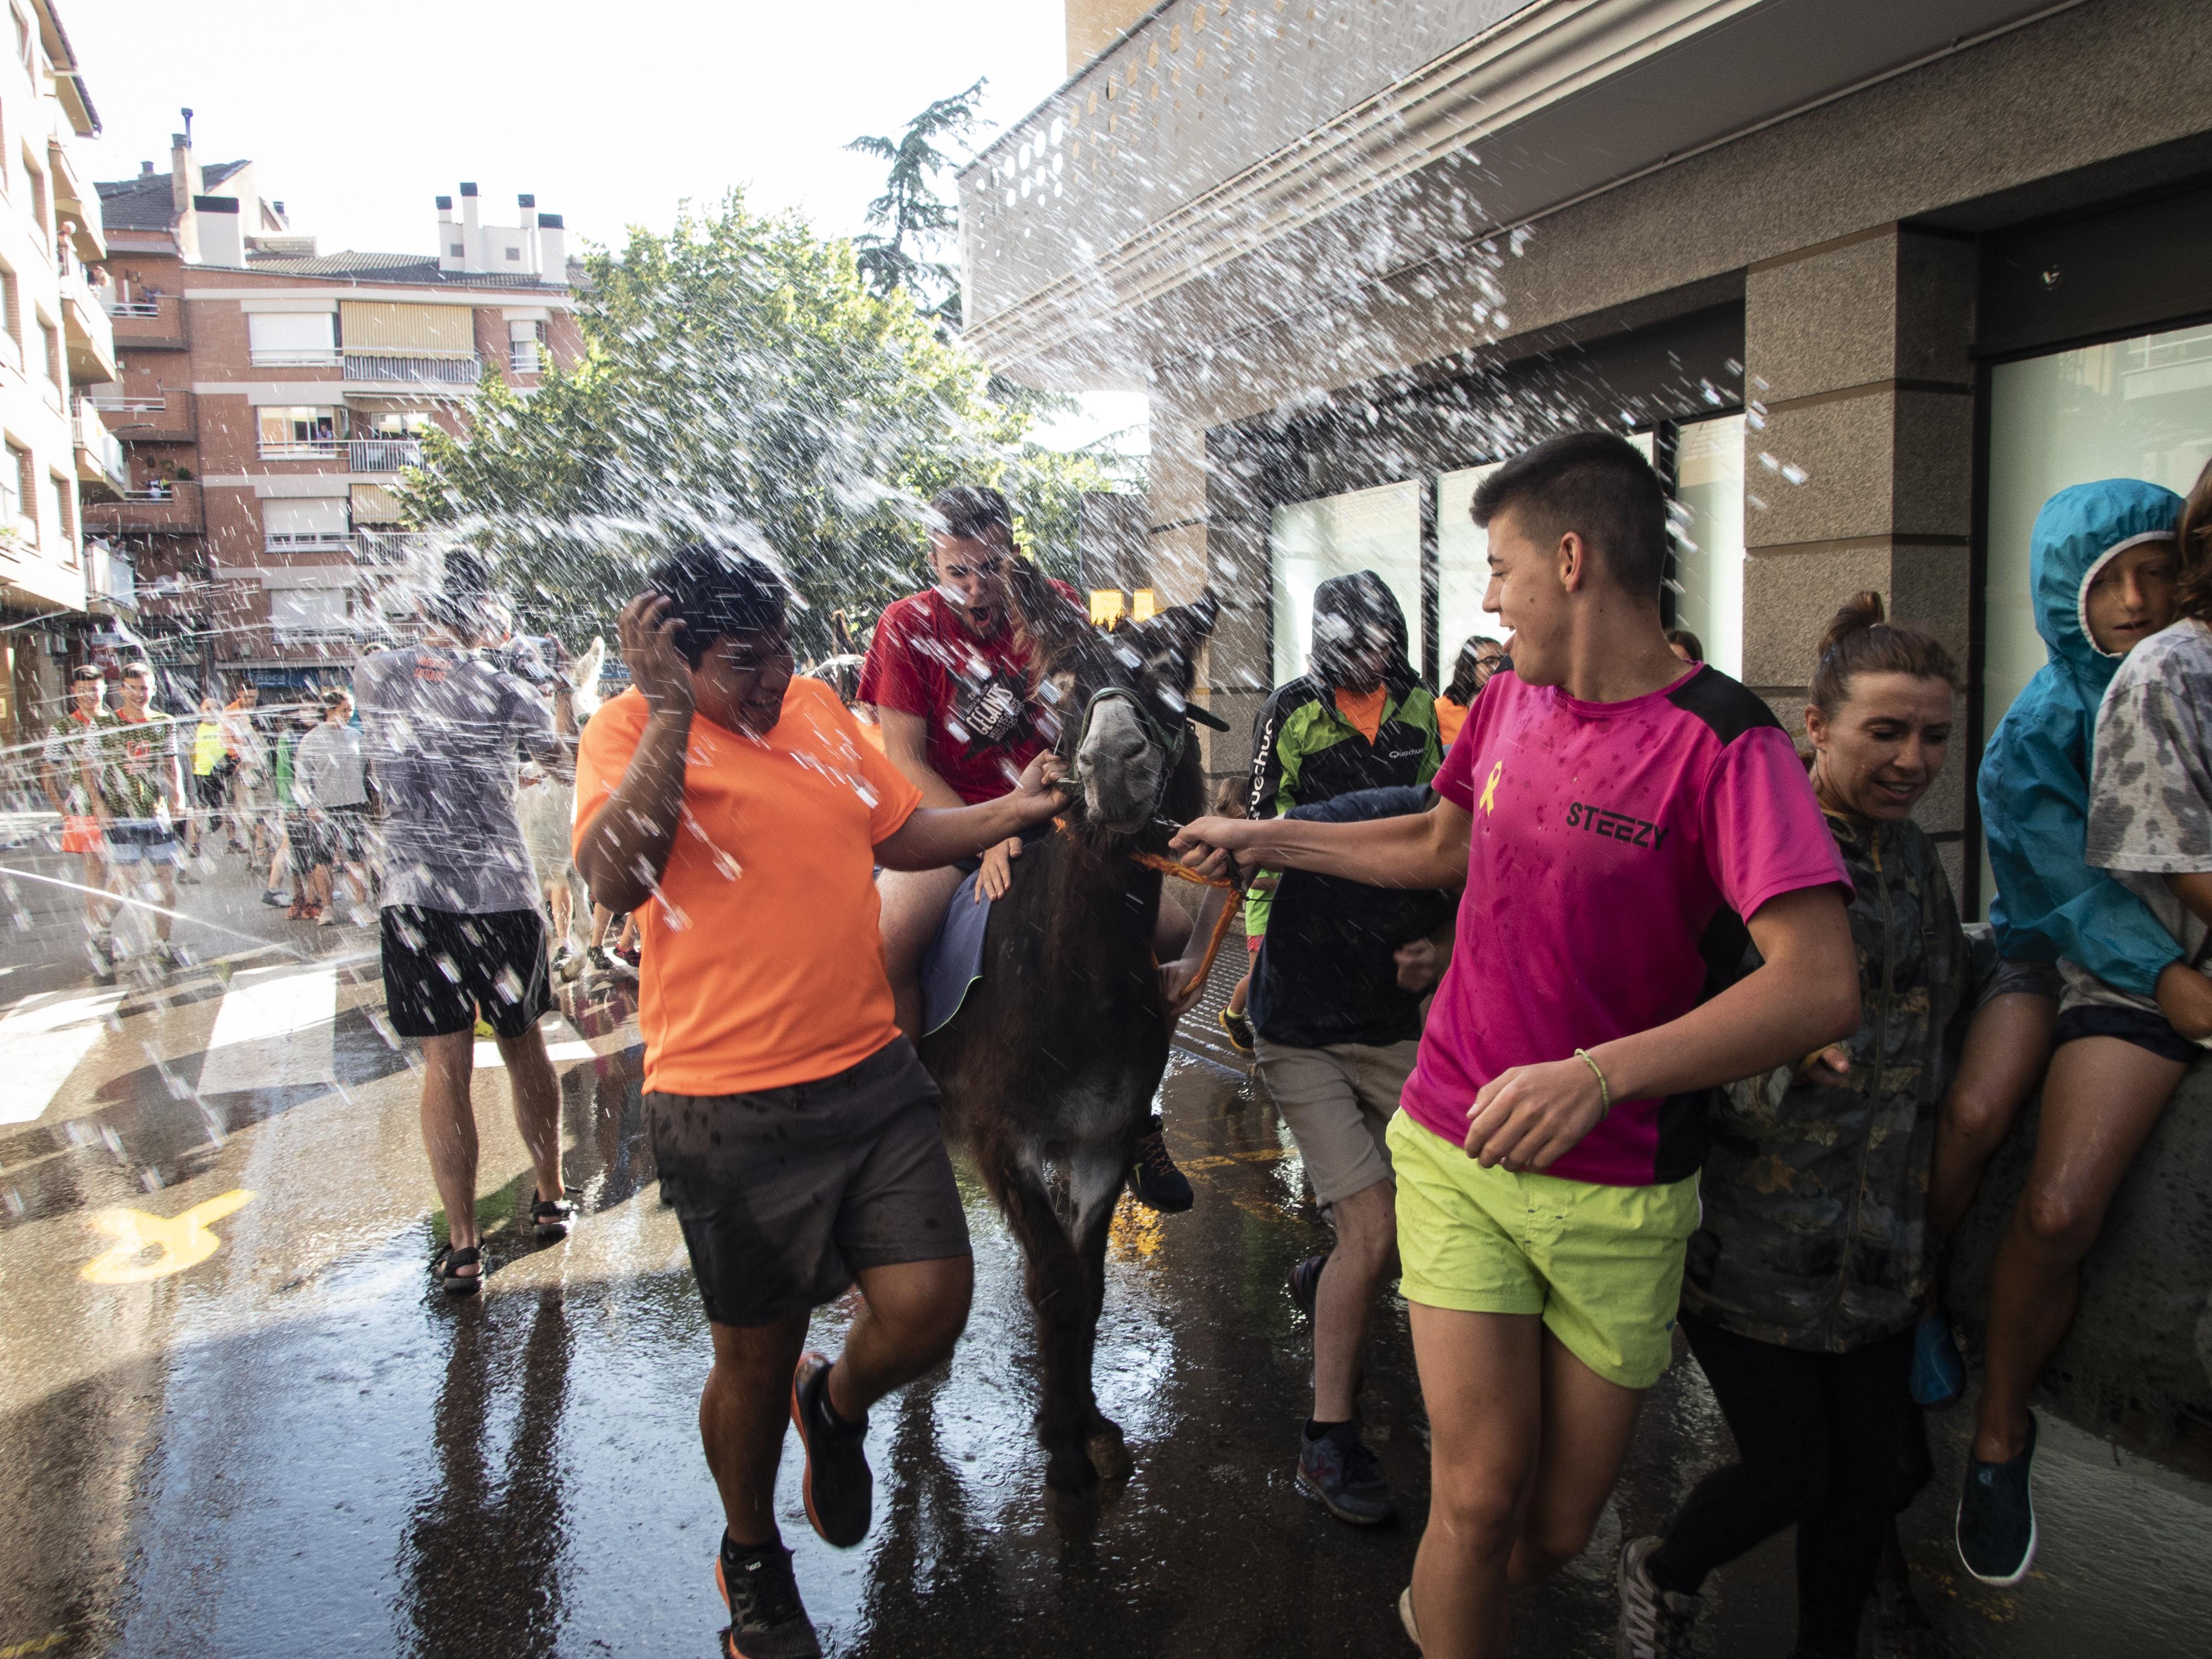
(1620, 828)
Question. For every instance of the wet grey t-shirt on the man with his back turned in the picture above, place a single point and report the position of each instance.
(444, 733)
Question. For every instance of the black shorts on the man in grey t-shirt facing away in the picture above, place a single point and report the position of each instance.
(444, 968)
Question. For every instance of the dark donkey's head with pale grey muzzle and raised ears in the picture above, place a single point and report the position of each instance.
(1123, 707)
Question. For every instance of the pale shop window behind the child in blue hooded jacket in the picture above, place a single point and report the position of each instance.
(2122, 410)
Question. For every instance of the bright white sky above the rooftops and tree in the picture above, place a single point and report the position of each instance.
(612, 114)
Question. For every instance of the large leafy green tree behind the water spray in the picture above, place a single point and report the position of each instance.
(740, 384)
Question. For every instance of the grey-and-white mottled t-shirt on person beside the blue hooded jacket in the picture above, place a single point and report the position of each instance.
(2151, 786)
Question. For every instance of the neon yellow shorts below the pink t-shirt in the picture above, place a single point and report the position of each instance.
(1598, 1264)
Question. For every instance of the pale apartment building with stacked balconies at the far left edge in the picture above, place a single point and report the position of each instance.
(54, 344)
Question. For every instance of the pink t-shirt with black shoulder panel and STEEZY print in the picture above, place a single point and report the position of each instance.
(1611, 844)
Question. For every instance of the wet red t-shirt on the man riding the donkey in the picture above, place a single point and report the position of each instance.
(972, 693)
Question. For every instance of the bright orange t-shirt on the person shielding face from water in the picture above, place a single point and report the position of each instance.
(771, 972)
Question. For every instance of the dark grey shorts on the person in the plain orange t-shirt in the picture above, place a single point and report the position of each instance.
(789, 1193)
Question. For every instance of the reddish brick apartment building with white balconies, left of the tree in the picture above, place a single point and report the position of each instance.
(271, 397)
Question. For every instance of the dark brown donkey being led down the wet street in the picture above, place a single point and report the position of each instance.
(1052, 1065)
